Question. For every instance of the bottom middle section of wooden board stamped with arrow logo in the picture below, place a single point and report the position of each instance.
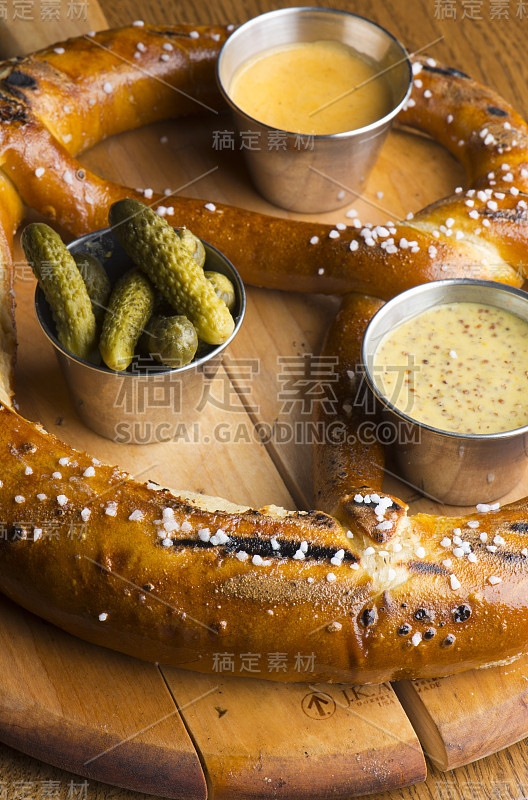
(257, 739)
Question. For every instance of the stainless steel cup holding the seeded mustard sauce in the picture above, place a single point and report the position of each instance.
(459, 469)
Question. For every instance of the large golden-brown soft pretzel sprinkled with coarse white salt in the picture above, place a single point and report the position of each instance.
(374, 593)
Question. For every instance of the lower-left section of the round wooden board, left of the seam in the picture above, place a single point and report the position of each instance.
(101, 714)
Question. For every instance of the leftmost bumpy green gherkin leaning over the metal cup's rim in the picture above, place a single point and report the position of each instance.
(64, 288)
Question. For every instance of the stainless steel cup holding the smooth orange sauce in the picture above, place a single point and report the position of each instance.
(322, 172)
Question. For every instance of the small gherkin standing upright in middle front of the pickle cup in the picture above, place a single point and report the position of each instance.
(129, 309)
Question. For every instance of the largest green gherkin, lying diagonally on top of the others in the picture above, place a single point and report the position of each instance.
(157, 249)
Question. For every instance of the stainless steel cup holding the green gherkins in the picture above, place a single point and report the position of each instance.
(148, 401)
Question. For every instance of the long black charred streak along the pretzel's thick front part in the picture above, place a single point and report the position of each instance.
(255, 546)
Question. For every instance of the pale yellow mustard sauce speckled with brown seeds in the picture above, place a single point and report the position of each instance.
(460, 367)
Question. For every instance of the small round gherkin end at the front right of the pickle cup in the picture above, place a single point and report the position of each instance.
(170, 340)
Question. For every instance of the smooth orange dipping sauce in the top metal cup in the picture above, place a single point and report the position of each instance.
(283, 86)
